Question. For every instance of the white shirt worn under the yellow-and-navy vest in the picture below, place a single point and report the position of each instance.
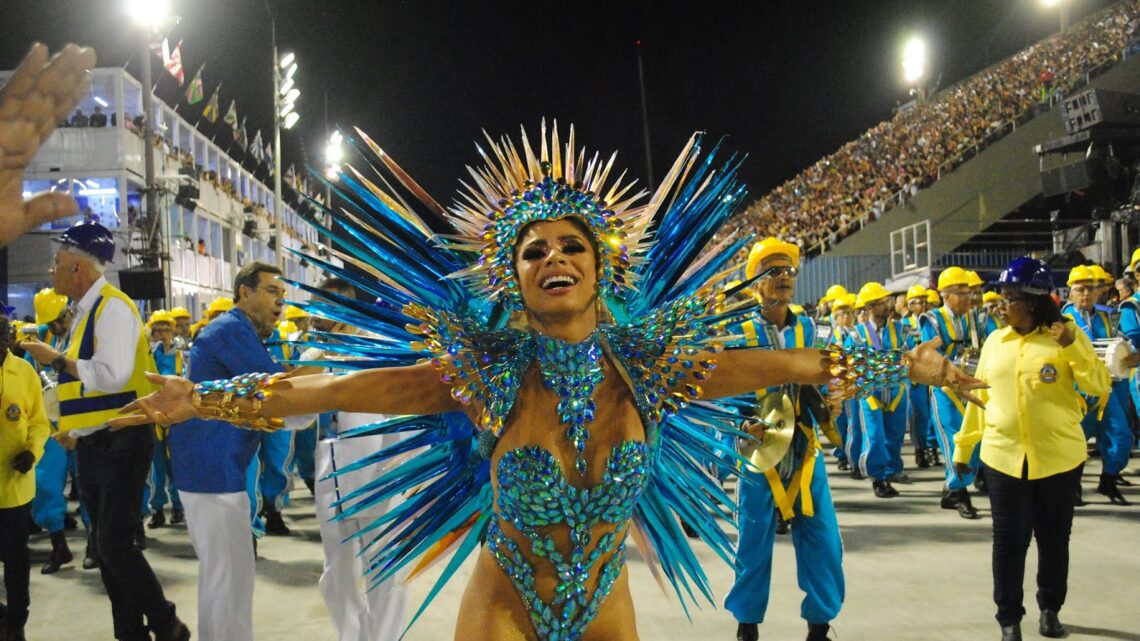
(117, 334)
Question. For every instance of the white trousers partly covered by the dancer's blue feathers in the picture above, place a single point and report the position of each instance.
(360, 614)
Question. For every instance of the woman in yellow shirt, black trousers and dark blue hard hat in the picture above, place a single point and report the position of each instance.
(1032, 444)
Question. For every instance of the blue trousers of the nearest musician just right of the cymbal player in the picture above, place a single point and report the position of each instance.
(884, 427)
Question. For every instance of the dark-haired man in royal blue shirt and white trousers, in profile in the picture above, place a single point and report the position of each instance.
(211, 458)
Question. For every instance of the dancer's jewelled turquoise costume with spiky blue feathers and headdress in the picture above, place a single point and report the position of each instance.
(450, 297)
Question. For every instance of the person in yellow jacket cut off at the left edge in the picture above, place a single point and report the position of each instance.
(23, 431)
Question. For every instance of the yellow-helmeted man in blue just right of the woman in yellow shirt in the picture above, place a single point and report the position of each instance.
(1106, 418)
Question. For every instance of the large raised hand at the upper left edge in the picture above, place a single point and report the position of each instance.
(40, 94)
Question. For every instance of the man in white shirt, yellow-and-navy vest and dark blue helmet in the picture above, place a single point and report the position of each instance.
(102, 370)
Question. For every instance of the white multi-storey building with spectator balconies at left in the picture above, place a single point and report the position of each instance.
(103, 168)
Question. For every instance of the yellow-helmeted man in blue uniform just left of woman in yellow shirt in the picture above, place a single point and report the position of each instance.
(952, 323)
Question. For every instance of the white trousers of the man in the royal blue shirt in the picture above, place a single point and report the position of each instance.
(219, 526)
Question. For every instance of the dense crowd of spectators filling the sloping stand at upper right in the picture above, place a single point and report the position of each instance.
(894, 160)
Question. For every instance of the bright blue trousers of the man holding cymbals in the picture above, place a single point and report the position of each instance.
(819, 553)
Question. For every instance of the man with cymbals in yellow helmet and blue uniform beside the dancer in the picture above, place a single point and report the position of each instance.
(801, 485)
